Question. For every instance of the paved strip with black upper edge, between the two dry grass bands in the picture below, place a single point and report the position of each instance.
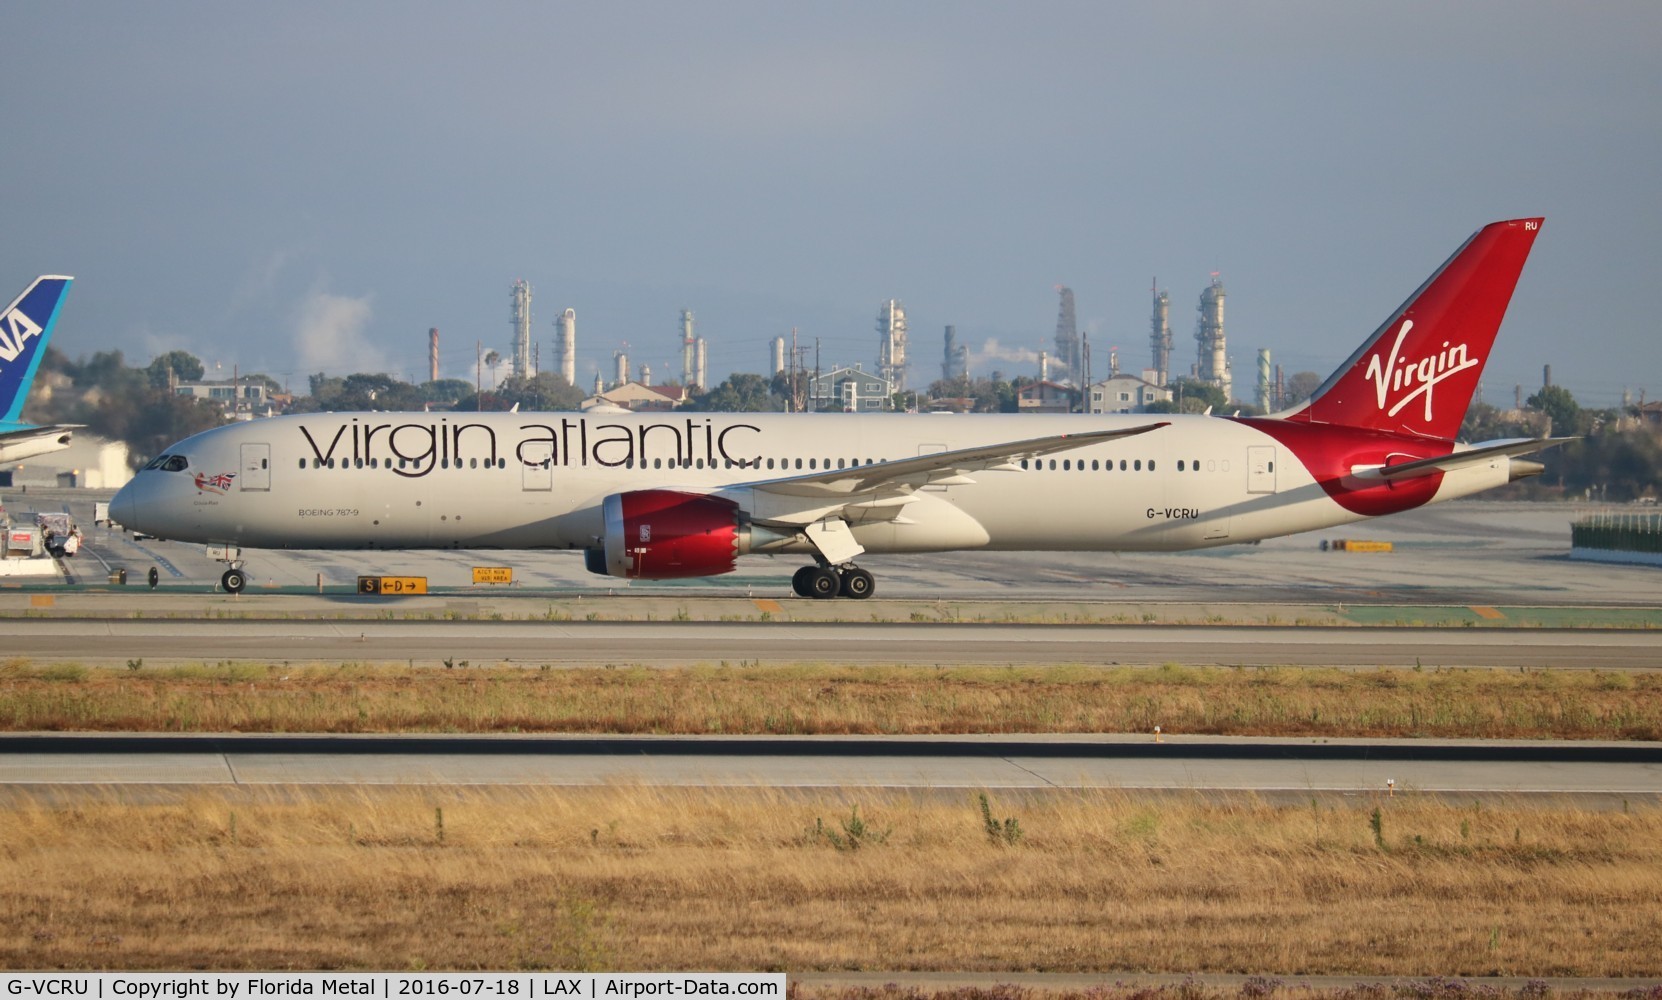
(1036, 763)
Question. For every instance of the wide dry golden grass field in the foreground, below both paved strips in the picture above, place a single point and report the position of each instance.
(636, 878)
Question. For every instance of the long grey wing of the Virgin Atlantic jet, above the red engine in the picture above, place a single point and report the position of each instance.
(888, 486)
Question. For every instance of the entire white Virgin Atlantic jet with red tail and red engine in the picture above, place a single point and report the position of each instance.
(664, 496)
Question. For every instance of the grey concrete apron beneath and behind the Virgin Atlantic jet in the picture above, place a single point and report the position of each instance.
(1470, 552)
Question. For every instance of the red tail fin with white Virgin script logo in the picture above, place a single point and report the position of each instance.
(1419, 373)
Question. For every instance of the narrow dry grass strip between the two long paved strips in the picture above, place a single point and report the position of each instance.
(833, 700)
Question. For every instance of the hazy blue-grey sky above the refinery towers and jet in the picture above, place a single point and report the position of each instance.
(312, 187)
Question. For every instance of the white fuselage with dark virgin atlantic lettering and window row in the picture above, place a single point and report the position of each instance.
(539, 481)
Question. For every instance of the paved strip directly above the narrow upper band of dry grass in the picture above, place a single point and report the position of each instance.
(574, 644)
